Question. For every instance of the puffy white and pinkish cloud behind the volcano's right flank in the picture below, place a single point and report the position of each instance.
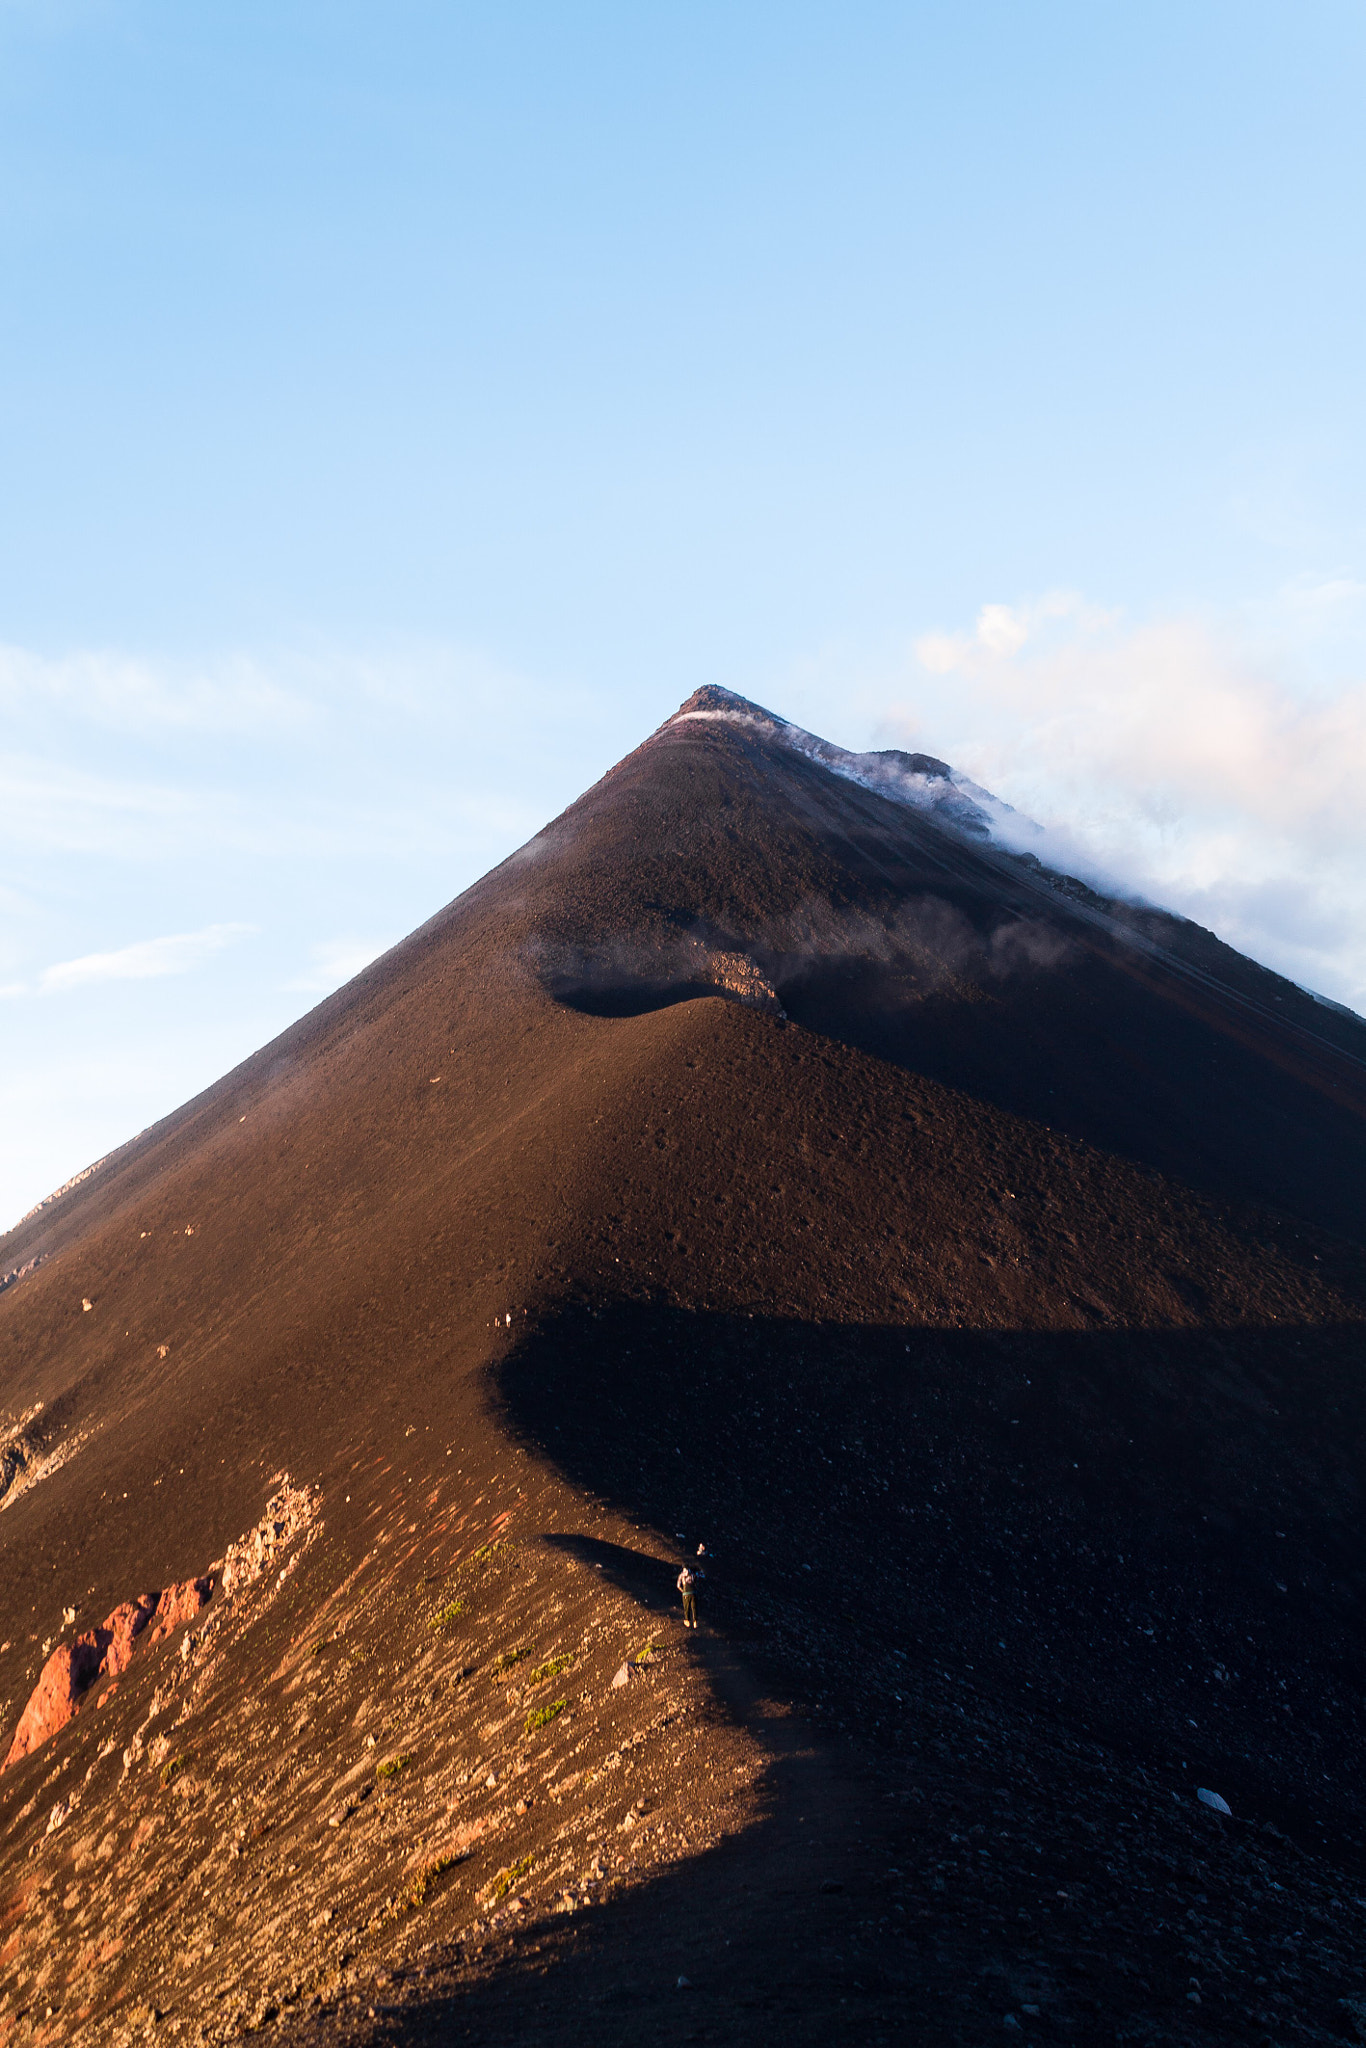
(1175, 761)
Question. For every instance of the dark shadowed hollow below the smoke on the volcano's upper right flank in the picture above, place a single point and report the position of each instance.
(1107, 1050)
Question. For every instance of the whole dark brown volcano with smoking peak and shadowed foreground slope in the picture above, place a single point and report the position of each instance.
(777, 1158)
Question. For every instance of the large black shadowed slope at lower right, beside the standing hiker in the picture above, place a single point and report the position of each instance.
(1037, 1590)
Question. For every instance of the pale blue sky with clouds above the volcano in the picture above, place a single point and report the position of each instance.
(404, 409)
